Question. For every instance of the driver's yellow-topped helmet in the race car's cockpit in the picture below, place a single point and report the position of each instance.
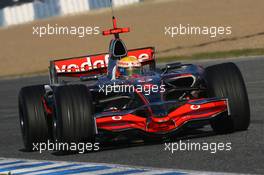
(129, 66)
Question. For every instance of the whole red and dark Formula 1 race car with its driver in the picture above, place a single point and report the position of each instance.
(93, 96)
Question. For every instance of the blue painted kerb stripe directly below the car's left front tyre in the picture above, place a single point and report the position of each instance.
(78, 170)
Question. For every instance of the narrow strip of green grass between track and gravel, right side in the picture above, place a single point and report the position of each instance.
(214, 55)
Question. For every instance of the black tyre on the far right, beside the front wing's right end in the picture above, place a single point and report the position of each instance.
(225, 80)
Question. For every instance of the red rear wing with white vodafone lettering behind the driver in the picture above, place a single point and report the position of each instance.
(95, 64)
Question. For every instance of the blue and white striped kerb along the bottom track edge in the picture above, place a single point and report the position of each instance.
(24, 167)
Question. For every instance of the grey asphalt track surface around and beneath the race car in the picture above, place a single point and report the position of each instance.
(246, 155)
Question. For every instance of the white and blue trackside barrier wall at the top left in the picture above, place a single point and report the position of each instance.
(47, 8)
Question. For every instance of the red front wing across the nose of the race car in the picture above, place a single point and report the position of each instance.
(172, 121)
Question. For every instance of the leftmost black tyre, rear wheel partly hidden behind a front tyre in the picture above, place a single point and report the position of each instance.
(33, 121)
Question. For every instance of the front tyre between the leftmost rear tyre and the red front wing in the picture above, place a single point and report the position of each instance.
(73, 121)
